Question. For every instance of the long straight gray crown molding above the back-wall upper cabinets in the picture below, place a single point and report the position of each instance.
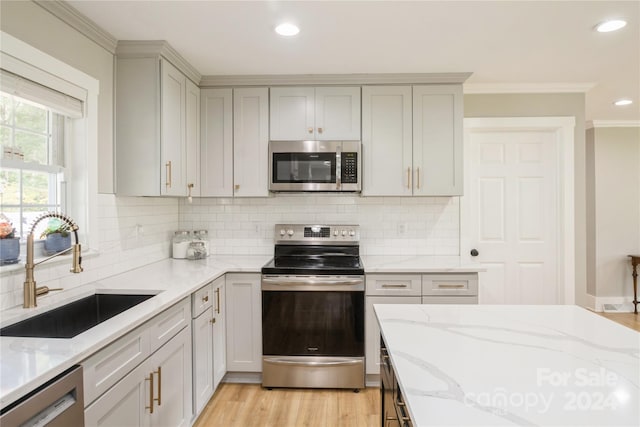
(333, 79)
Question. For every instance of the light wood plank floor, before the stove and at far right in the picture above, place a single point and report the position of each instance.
(249, 405)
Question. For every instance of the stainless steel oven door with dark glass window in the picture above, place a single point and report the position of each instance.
(313, 316)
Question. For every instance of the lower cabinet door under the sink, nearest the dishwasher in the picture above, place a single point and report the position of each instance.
(125, 404)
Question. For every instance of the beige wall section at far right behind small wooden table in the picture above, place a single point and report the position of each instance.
(616, 192)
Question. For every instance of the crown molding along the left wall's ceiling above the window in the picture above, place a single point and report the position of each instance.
(79, 22)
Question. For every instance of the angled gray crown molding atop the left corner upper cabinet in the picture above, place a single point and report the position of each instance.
(153, 48)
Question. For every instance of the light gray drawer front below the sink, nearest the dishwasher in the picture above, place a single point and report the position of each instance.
(106, 367)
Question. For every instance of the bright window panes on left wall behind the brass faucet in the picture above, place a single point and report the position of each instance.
(32, 173)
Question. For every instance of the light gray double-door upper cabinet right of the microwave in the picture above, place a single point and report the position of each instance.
(412, 140)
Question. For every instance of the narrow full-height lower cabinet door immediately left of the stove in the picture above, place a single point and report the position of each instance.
(244, 322)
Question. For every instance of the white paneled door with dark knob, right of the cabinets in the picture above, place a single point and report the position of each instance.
(514, 215)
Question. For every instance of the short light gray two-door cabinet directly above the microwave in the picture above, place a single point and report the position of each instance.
(315, 113)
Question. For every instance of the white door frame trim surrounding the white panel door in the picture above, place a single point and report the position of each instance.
(563, 128)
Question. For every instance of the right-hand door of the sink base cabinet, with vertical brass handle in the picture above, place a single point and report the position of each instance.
(171, 367)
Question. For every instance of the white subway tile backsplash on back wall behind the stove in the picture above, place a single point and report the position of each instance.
(389, 225)
